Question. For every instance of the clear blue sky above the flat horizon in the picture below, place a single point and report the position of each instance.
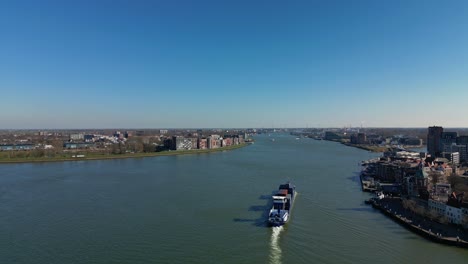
(152, 64)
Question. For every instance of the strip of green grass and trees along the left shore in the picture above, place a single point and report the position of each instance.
(44, 156)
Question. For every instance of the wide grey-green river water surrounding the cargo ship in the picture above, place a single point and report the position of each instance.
(203, 208)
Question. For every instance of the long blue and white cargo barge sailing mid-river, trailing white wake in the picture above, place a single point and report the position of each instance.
(280, 213)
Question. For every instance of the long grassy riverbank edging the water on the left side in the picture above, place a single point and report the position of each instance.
(105, 156)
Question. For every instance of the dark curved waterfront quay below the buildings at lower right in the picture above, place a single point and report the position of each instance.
(441, 233)
